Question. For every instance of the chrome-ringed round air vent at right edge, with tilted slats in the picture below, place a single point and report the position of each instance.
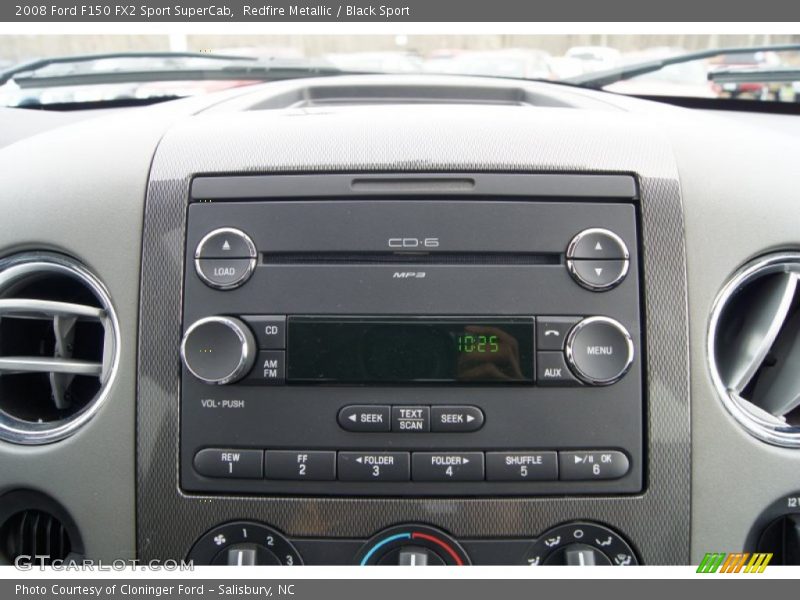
(754, 348)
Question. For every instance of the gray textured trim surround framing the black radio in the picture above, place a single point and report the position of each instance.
(440, 141)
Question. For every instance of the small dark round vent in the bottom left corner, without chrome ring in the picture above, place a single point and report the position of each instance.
(36, 530)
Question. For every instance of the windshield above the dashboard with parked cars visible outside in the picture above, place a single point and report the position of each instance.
(74, 70)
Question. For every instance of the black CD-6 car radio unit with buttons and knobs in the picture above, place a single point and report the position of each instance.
(411, 347)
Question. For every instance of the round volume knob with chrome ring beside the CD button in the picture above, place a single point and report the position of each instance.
(218, 350)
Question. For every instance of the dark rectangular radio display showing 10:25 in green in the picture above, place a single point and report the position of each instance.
(420, 350)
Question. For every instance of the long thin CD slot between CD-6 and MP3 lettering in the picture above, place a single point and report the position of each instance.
(406, 258)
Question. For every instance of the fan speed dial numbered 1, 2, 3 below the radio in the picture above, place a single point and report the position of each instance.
(243, 543)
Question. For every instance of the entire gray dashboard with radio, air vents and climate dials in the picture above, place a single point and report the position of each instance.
(400, 320)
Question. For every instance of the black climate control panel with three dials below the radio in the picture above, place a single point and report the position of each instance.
(579, 543)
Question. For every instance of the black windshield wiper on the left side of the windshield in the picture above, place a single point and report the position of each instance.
(230, 68)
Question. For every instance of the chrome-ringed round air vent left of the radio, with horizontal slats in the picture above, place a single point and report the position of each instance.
(58, 347)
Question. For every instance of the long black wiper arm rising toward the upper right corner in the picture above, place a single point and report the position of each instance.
(601, 79)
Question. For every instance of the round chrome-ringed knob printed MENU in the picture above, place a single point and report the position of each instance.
(599, 350)
